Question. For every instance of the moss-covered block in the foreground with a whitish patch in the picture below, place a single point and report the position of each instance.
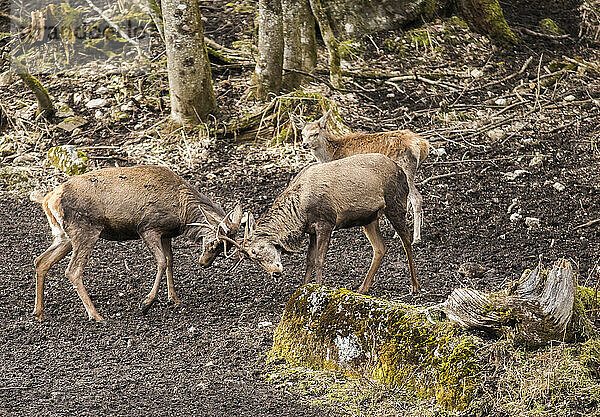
(394, 343)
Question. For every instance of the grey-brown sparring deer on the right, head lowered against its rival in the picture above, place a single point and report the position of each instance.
(353, 191)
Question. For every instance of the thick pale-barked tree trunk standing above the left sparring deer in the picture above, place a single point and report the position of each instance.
(190, 81)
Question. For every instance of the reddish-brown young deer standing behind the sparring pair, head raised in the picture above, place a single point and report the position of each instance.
(406, 148)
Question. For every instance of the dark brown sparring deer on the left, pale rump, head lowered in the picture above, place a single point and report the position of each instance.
(143, 202)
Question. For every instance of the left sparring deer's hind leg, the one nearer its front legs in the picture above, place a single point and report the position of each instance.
(82, 248)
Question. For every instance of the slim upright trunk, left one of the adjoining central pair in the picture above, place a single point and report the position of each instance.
(269, 64)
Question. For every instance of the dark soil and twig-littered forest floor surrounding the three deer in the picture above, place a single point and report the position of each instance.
(517, 136)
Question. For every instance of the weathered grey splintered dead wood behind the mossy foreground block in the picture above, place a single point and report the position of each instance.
(533, 312)
